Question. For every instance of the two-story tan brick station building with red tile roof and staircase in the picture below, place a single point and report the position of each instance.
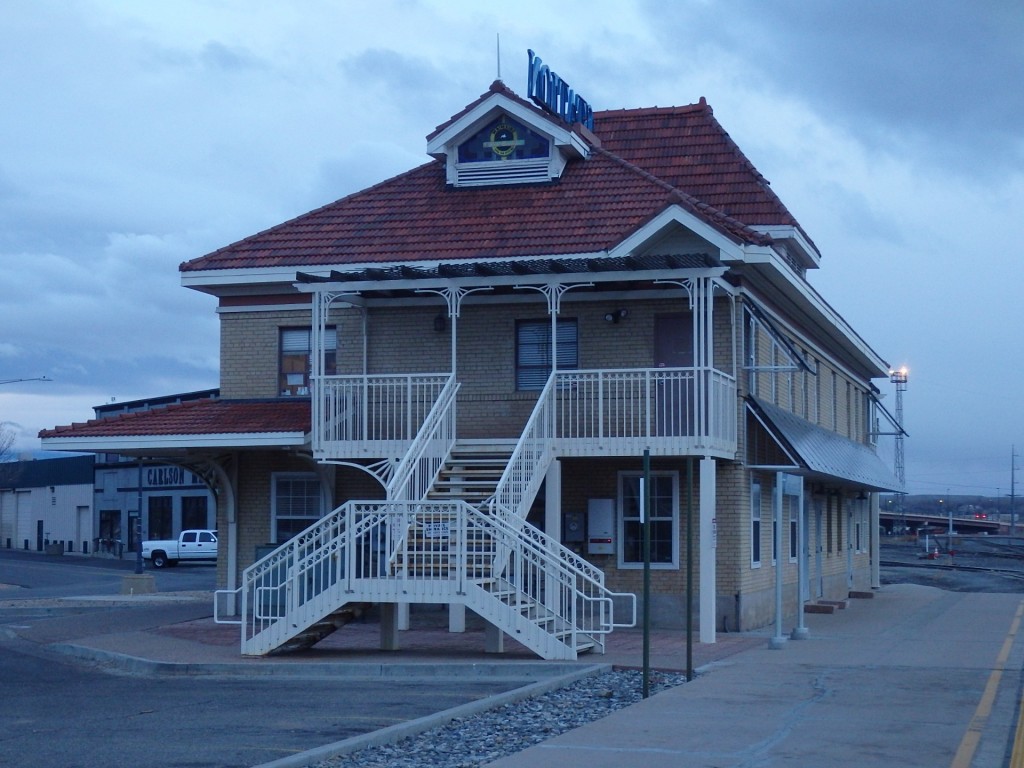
(453, 377)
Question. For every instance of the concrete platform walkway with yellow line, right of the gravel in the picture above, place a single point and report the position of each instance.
(915, 677)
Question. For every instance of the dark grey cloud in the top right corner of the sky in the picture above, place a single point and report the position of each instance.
(928, 77)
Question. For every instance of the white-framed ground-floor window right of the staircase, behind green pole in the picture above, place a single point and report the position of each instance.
(664, 521)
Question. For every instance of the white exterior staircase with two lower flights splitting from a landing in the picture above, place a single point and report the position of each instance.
(464, 541)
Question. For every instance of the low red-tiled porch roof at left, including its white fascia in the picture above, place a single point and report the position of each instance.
(207, 423)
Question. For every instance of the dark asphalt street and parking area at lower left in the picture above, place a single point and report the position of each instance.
(56, 712)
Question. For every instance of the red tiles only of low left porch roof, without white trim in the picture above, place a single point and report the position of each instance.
(198, 418)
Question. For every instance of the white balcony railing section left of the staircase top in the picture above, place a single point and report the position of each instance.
(371, 415)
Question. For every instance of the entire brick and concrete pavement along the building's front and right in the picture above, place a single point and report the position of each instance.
(915, 677)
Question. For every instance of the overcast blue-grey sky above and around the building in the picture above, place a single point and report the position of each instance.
(136, 136)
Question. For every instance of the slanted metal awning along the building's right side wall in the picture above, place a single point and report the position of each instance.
(821, 452)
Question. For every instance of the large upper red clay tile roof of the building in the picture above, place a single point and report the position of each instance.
(650, 159)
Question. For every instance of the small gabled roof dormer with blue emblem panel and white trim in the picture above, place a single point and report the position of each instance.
(503, 140)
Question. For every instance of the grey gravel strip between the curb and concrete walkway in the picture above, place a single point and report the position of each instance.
(468, 743)
